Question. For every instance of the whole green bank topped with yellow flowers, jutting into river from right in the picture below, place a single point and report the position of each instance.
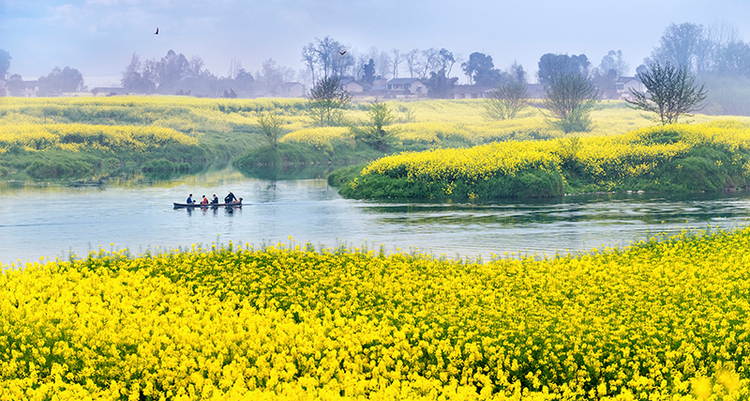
(679, 158)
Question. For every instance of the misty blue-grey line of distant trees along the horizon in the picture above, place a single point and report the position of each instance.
(715, 54)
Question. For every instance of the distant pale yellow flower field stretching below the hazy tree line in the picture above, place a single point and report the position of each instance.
(425, 122)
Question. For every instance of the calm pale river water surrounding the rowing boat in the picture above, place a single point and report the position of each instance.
(48, 222)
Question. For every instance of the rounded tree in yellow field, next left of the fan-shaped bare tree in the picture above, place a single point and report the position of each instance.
(570, 97)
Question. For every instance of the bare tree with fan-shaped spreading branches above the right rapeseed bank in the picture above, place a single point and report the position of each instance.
(671, 92)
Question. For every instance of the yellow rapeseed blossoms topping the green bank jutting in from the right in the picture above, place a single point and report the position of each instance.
(606, 158)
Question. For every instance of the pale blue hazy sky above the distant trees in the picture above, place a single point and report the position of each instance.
(98, 37)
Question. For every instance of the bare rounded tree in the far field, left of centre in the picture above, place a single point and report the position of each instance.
(327, 101)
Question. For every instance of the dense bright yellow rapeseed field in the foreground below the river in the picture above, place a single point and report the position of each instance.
(665, 319)
